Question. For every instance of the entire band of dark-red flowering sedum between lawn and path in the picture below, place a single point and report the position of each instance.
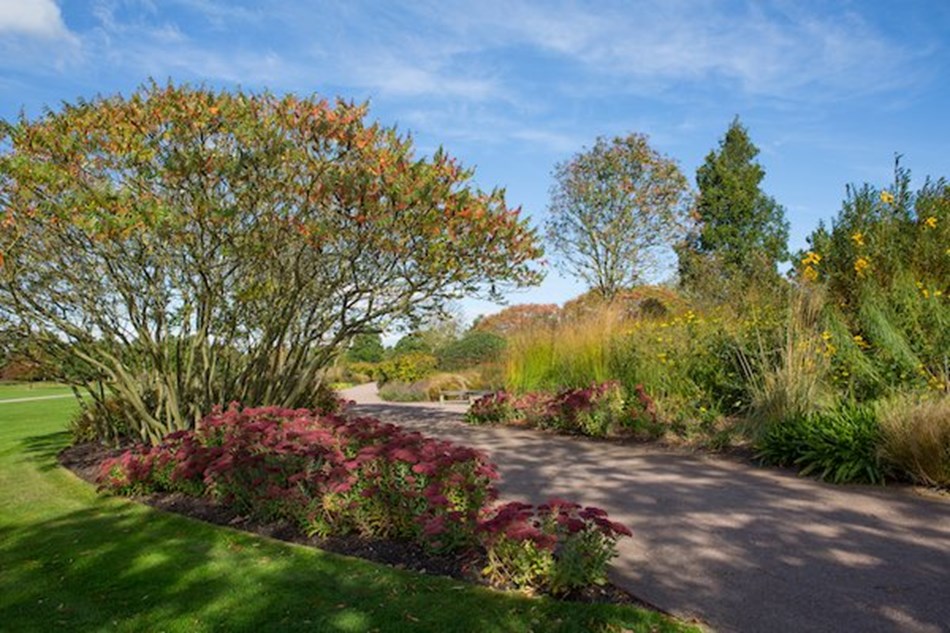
(333, 475)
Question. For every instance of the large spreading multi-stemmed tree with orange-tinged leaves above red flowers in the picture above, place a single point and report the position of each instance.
(192, 247)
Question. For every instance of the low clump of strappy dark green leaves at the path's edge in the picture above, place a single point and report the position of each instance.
(840, 446)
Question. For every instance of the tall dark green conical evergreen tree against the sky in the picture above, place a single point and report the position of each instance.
(742, 231)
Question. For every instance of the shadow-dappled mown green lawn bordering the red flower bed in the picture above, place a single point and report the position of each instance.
(71, 560)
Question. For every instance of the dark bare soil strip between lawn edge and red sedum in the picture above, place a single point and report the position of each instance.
(84, 460)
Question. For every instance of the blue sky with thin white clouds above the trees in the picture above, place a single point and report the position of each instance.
(829, 90)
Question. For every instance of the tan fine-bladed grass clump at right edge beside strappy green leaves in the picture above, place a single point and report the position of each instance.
(916, 438)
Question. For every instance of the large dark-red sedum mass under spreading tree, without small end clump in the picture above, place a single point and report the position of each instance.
(328, 474)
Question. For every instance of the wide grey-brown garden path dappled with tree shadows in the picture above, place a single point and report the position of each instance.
(734, 546)
